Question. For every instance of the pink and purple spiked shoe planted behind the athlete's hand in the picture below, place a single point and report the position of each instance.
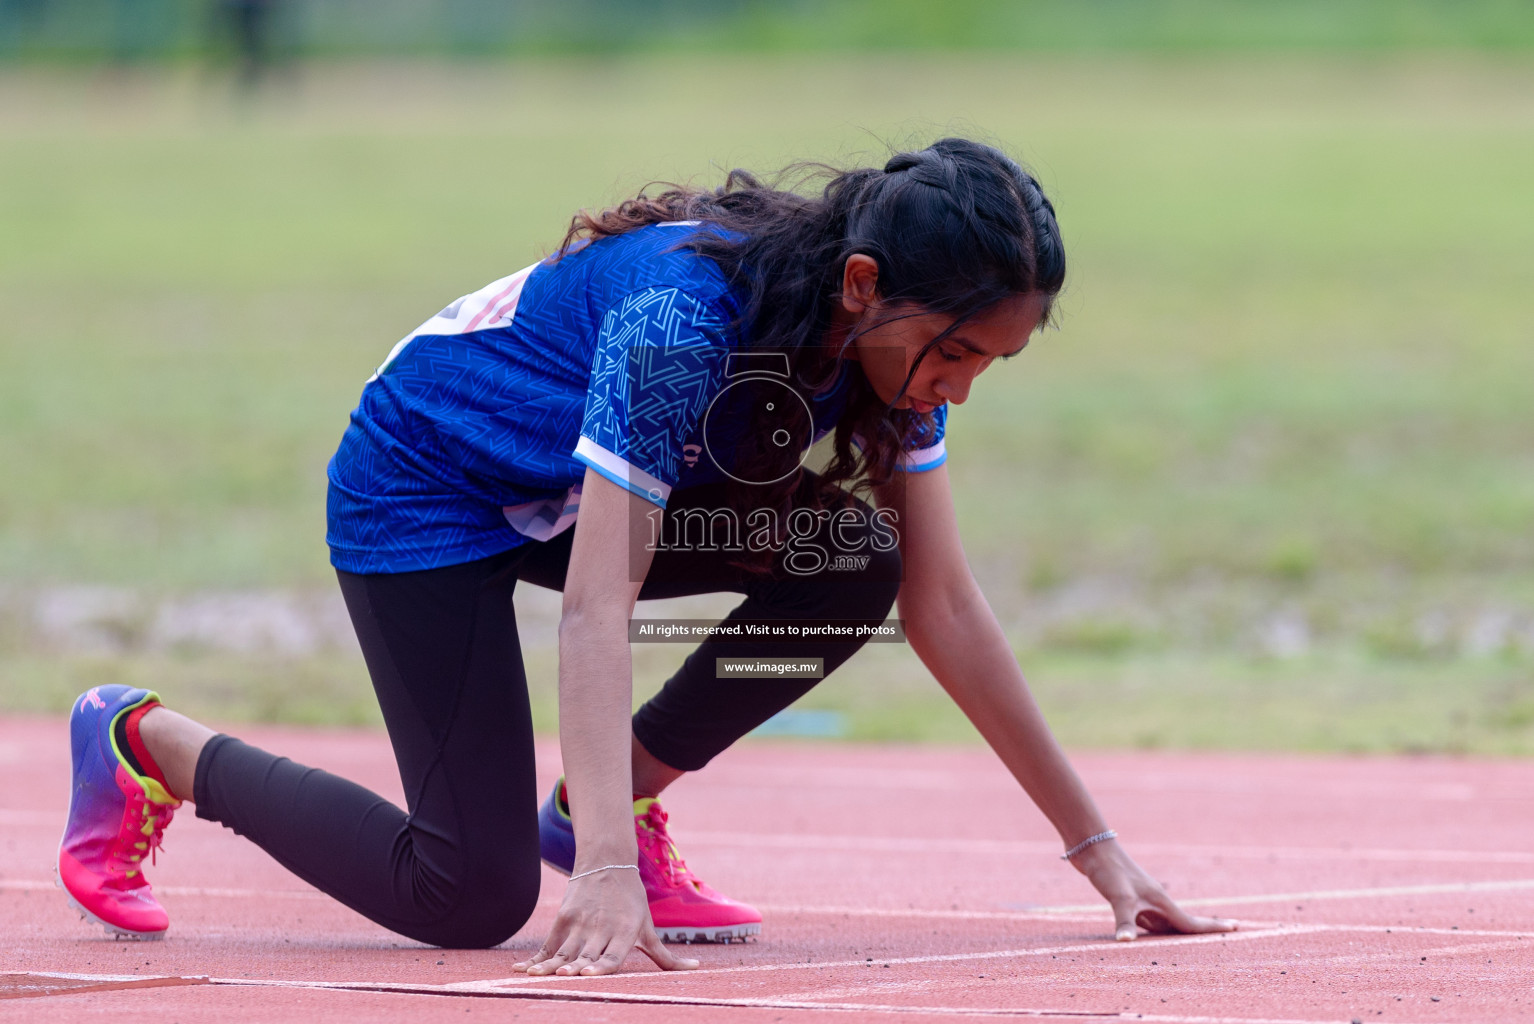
(682, 907)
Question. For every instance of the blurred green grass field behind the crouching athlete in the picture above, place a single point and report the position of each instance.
(1271, 485)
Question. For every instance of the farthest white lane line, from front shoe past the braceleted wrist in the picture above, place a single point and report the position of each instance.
(1006, 847)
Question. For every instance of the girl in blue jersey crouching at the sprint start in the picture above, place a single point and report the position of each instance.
(662, 378)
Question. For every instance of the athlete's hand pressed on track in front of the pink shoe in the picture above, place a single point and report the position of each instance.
(602, 919)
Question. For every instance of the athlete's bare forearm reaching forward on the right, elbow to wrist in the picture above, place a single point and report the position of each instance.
(966, 649)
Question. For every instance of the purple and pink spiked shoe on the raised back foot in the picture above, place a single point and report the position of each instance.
(116, 819)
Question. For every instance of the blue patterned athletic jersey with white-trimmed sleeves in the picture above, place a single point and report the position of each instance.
(476, 433)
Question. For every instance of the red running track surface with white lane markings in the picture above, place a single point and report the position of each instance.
(897, 885)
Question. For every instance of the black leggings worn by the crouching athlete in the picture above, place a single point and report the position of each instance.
(461, 868)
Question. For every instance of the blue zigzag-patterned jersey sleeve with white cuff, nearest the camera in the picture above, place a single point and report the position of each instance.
(659, 364)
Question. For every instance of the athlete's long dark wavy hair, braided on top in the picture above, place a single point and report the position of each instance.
(955, 229)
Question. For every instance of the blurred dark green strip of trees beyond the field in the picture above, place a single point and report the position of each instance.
(262, 31)
